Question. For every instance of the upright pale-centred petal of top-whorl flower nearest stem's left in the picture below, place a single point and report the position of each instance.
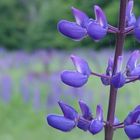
(100, 17)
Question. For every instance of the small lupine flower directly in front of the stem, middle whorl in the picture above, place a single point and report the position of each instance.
(118, 80)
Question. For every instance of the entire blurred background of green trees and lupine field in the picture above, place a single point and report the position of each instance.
(32, 55)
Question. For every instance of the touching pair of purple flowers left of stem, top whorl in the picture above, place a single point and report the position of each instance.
(84, 26)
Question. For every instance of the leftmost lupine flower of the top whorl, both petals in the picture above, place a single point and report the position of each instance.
(74, 30)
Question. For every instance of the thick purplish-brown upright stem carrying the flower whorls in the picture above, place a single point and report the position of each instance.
(113, 92)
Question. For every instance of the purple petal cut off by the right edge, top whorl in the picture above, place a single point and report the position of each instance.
(137, 29)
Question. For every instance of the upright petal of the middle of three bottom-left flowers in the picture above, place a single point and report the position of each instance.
(86, 112)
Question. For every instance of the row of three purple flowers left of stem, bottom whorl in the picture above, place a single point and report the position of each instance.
(72, 119)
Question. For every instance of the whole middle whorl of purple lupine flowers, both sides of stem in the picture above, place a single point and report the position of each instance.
(80, 77)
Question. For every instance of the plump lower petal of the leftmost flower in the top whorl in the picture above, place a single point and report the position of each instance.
(71, 30)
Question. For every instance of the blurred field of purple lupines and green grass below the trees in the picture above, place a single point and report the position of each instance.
(30, 87)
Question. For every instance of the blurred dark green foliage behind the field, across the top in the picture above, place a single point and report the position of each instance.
(31, 24)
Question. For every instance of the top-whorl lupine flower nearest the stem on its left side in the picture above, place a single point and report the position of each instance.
(97, 29)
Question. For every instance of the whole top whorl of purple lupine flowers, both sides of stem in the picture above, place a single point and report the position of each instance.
(97, 28)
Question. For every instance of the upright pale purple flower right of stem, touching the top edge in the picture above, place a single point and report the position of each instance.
(130, 17)
